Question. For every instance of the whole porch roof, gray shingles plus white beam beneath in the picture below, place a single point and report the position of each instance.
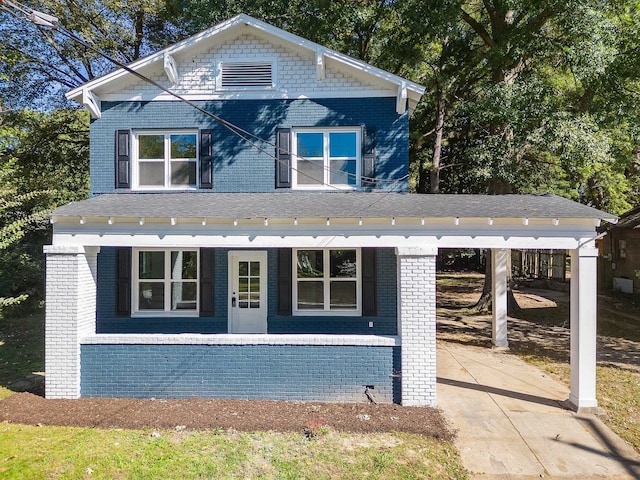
(271, 220)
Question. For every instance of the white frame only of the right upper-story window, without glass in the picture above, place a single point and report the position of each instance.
(326, 180)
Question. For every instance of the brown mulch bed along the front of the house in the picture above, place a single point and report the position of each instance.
(229, 415)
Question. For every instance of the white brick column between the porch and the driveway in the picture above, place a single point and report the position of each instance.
(417, 324)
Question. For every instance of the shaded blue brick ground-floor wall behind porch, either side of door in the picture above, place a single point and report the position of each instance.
(385, 323)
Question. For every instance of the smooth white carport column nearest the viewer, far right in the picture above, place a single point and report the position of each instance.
(583, 317)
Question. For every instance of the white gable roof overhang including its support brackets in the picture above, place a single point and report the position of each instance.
(407, 91)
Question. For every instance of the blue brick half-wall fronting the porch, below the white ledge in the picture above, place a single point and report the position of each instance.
(277, 372)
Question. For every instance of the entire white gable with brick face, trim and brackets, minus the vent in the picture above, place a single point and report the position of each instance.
(304, 70)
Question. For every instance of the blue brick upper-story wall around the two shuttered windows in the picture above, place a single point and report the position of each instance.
(233, 157)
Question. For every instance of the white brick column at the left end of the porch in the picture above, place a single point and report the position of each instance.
(70, 314)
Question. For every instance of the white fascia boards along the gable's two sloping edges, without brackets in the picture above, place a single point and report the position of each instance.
(270, 30)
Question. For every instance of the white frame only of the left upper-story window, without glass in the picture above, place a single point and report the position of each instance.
(135, 155)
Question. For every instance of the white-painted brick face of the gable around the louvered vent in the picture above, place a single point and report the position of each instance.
(295, 73)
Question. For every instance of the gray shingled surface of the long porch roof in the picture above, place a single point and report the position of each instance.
(327, 204)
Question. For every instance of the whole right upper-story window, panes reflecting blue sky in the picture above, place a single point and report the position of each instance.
(326, 158)
